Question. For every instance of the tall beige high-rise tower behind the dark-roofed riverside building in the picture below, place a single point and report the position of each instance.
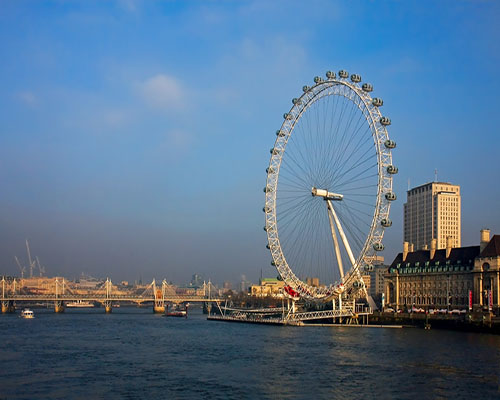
(432, 211)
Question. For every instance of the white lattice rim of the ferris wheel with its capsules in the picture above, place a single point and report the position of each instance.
(357, 94)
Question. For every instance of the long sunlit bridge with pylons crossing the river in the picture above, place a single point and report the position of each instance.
(158, 295)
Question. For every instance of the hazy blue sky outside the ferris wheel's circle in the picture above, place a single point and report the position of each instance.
(134, 135)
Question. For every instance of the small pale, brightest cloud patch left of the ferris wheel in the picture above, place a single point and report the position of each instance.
(164, 92)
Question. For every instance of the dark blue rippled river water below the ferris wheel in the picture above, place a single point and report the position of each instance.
(133, 354)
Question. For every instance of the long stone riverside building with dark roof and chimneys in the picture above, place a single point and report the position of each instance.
(450, 278)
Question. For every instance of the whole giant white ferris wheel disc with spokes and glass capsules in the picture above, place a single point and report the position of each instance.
(329, 187)
